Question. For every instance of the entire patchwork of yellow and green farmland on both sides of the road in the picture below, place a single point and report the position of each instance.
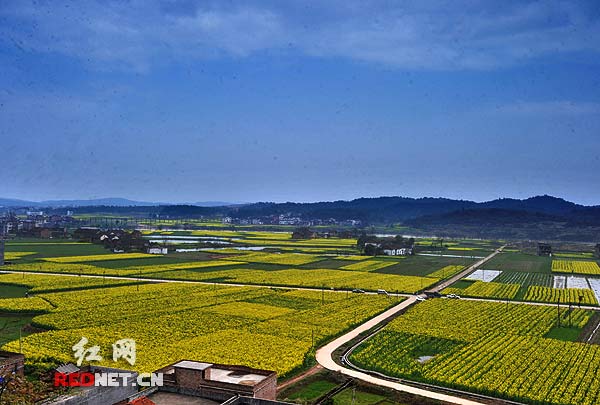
(243, 308)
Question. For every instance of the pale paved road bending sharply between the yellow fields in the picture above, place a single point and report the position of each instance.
(325, 354)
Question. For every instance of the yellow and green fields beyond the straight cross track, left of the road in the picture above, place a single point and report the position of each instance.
(308, 263)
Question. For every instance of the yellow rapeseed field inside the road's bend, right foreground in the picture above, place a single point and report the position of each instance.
(486, 353)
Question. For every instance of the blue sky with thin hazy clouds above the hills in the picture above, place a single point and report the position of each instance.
(286, 100)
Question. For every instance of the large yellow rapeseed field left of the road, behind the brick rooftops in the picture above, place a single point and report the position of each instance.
(273, 329)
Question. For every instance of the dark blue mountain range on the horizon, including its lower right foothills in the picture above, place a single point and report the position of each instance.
(540, 217)
